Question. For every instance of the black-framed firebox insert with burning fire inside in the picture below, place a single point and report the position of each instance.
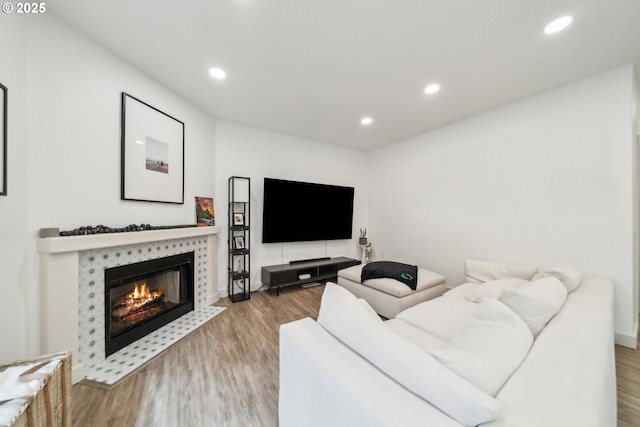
(142, 297)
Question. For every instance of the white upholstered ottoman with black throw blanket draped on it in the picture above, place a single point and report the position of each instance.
(388, 297)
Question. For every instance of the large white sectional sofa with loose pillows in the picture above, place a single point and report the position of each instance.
(452, 361)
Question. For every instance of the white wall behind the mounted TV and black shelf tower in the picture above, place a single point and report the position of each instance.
(256, 153)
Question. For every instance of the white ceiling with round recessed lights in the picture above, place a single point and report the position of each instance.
(314, 68)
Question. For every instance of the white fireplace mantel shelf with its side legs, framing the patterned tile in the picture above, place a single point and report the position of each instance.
(60, 272)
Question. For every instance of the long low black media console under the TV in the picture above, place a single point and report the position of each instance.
(278, 276)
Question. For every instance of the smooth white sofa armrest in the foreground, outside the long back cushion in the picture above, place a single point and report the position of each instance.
(324, 383)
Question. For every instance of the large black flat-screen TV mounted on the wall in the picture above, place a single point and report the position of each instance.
(302, 211)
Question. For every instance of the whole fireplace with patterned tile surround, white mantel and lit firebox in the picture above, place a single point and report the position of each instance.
(94, 278)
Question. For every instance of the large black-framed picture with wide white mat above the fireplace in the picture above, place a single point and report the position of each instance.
(152, 156)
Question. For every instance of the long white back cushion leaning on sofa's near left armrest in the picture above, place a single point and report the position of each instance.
(354, 323)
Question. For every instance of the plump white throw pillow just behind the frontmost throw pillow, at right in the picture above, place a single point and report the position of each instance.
(536, 302)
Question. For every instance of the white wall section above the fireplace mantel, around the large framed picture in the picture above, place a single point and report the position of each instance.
(74, 111)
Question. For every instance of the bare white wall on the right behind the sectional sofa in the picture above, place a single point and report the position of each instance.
(544, 181)
